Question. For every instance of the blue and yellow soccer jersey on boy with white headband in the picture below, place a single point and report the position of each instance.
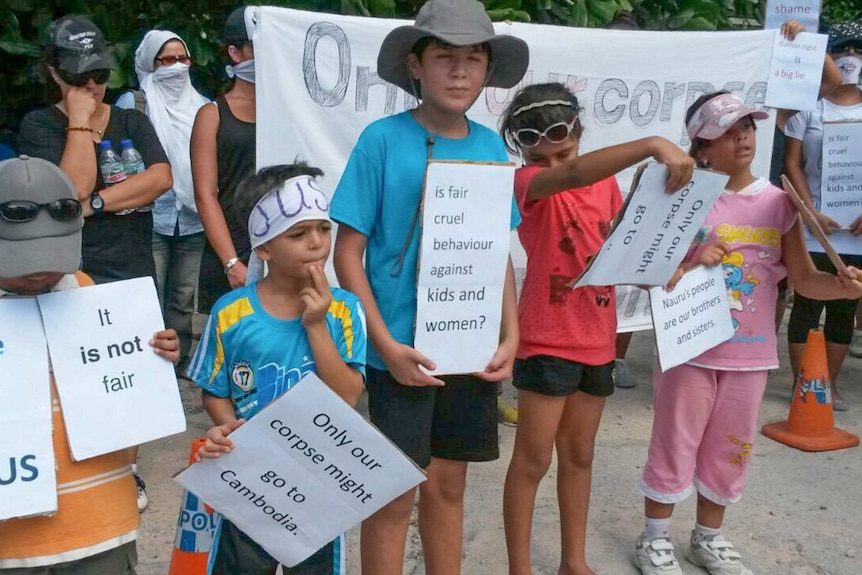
(253, 358)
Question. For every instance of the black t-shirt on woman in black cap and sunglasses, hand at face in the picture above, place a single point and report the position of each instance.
(115, 247)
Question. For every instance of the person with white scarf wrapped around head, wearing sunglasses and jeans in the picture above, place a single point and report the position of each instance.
(162, 64)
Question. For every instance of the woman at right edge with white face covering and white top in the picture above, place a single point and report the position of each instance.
(803, 162)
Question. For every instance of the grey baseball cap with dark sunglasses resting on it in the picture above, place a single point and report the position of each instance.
(44, 243)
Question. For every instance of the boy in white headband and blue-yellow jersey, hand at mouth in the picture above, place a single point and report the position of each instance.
(261, 339)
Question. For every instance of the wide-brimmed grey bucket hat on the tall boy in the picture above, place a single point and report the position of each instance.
(458, 23)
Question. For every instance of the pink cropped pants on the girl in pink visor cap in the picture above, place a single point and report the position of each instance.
(704, 423)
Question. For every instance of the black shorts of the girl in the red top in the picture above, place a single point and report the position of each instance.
(558, 377)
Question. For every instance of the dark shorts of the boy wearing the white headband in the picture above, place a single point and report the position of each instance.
(237, 553)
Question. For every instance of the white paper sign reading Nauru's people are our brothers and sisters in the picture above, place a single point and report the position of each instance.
(692, 318)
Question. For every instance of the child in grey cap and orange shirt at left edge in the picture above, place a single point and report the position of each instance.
(94, 529)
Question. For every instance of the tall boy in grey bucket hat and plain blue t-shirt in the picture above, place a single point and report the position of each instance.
(444, 60)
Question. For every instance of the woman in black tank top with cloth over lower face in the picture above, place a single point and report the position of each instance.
(223, 155)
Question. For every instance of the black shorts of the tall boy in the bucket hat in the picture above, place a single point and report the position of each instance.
(457, 421)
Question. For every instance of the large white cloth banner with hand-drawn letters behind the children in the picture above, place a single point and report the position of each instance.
(317, 76)
